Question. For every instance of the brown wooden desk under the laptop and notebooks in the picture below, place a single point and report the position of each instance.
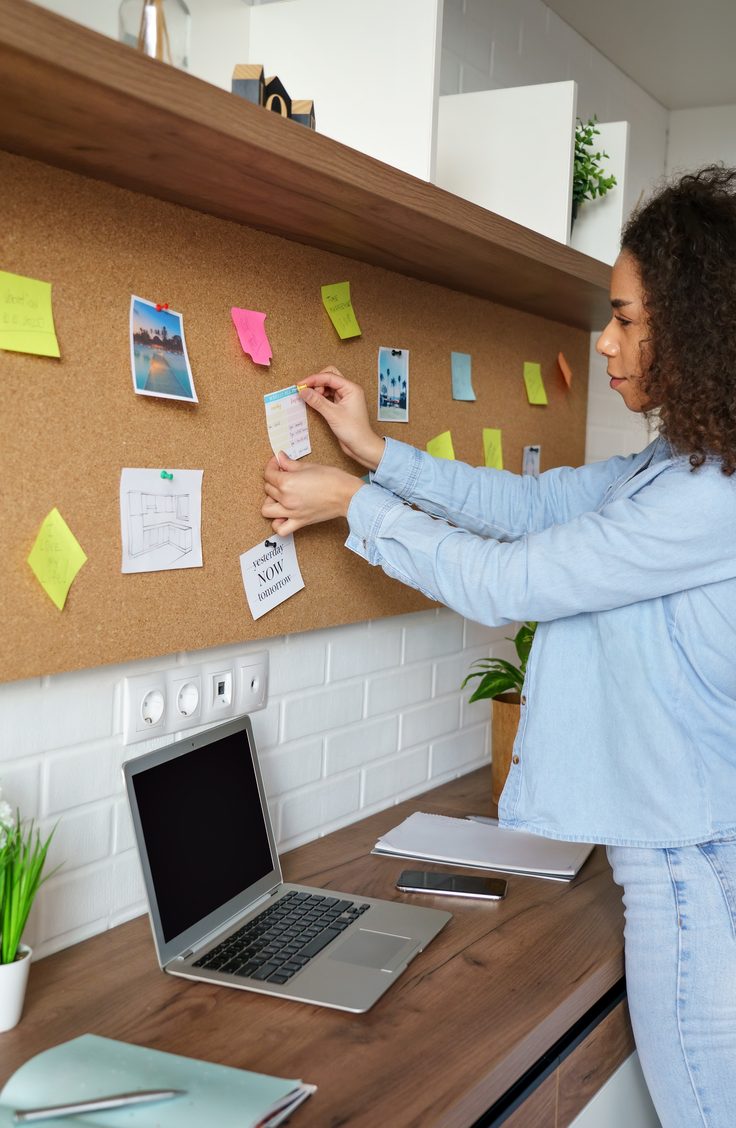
(487, 1000)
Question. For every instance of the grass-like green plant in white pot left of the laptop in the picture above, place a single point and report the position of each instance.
(23, 857)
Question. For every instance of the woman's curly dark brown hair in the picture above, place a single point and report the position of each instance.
(685, 244)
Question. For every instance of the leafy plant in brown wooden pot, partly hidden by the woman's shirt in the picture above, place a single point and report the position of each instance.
(502, 682)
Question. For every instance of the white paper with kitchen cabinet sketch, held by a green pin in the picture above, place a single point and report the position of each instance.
(161, 519)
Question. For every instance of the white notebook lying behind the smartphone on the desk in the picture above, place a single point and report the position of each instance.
(485, 847)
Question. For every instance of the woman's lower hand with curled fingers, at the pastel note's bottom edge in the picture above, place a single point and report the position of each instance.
(300, 495)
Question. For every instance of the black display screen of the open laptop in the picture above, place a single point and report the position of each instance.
(204, 830)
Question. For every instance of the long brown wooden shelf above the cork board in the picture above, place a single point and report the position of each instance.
(83, 102)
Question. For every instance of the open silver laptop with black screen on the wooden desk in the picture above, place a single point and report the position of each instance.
(220, 909)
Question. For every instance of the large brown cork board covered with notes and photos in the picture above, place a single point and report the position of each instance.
(69, 426)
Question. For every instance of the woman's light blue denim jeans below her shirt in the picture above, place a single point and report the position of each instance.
(681, 977)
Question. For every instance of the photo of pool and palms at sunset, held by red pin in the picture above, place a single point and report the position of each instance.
(159, 352)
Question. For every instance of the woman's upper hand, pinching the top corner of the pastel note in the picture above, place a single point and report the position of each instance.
(343, 406)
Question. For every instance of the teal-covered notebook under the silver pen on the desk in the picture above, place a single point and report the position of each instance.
(92, 1067)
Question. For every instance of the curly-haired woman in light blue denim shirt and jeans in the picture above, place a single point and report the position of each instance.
(628, 730)
